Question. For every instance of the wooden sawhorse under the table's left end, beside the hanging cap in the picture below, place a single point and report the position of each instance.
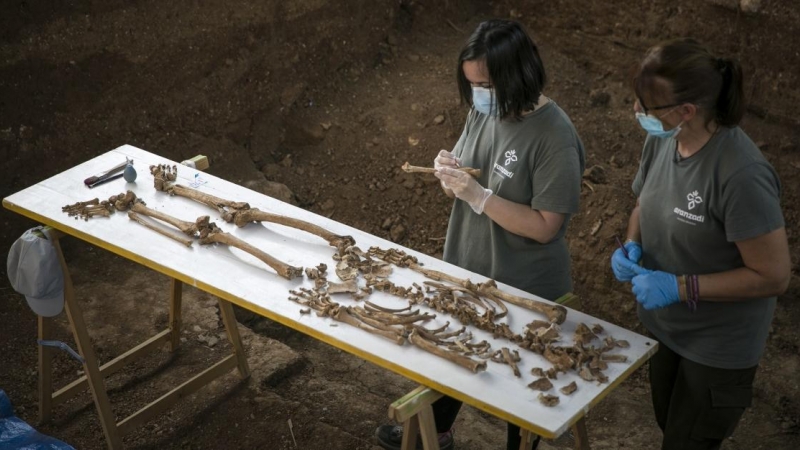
(95, 374)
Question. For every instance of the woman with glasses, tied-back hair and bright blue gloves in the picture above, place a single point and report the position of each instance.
(707, 252)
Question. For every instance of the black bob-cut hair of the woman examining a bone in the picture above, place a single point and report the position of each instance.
(513, 62)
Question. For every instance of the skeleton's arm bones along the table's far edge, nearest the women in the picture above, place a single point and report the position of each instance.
(554, 313)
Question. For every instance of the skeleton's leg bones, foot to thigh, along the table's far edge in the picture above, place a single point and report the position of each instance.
(240, 213)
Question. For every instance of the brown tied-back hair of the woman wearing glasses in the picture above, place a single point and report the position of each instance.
(694, 76)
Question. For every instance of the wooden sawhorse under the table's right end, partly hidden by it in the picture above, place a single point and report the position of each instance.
(415, 412)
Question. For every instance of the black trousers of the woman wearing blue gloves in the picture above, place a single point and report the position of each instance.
(697, 406)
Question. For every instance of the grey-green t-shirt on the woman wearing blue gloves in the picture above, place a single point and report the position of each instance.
(692, 212)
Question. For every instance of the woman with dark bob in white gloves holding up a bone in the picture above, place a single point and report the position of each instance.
(509, 223)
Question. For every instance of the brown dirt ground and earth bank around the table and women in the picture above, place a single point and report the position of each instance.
(319, 102)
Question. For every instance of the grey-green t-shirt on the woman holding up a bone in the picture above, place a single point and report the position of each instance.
(537, 161)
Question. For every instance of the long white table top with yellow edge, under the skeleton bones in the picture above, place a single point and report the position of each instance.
(246, 281)
